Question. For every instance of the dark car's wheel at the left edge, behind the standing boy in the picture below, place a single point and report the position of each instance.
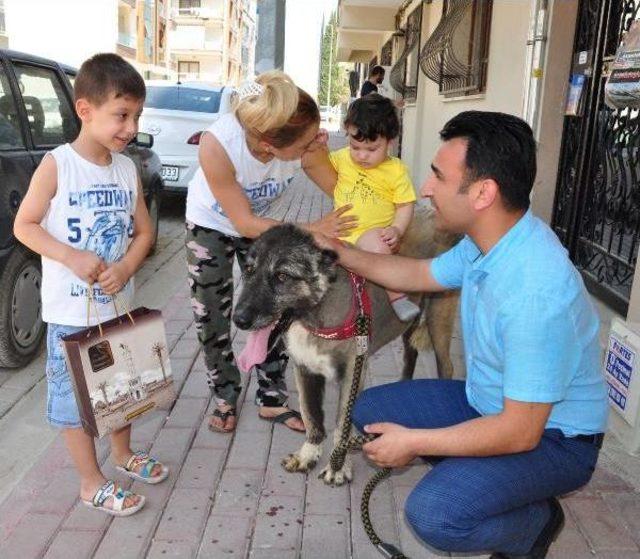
(21, 326)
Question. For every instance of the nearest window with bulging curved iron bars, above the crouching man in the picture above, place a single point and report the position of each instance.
(456, 54)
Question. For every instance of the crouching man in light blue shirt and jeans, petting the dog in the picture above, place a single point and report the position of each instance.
(527, 424)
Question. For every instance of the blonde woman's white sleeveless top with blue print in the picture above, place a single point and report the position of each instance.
(262, 183)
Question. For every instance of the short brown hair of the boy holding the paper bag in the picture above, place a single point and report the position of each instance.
(107, 73)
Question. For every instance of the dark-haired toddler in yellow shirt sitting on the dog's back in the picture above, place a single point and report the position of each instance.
(377, 185)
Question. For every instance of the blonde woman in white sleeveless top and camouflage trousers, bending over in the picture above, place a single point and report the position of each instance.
(247, 160)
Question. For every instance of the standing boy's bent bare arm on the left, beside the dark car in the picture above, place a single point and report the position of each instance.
(27, 229)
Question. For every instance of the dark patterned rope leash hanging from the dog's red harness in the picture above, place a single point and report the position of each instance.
(347, 443)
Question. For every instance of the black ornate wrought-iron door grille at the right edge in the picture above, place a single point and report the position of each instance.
(597, 206)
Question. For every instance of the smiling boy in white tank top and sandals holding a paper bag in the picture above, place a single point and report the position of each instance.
(85, 214)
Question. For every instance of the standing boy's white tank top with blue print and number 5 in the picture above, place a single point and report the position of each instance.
(92, 210)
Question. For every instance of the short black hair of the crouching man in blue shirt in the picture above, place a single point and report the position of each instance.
(500, 147)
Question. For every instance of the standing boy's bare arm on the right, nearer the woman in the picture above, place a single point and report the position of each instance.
(117, 274)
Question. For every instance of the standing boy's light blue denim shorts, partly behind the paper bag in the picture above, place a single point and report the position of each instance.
(62, 410)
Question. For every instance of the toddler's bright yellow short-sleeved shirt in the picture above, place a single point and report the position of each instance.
(373, 192)
